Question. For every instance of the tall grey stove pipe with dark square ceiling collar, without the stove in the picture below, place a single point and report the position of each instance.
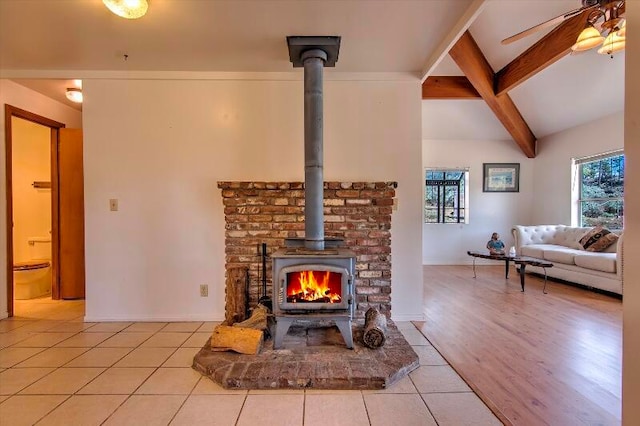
(313, 53)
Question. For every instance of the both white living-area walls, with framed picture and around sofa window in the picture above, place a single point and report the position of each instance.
(545, 185)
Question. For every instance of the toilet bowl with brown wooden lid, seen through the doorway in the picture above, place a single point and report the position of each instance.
(31, 279)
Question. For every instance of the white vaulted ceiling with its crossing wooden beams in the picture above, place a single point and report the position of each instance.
(550, 89)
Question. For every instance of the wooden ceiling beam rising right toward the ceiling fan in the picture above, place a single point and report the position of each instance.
(545, 52)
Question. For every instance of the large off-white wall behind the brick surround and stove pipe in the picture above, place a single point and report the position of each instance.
(159, 147)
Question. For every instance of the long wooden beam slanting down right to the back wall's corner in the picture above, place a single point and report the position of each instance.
(468, 56)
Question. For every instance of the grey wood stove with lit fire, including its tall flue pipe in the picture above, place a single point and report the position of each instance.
(314, 277)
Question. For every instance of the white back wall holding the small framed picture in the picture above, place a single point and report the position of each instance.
(447, 244)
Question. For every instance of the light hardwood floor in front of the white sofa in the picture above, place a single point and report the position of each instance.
(536, 358)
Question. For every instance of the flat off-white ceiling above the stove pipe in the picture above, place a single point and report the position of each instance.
(220, 35)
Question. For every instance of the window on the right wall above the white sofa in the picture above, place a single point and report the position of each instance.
(601, 190)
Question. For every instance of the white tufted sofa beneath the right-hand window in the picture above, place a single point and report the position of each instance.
(560, 245)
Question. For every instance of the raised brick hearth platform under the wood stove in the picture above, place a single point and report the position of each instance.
(313, 357)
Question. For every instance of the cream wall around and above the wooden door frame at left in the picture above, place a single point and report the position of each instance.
(19, 96)
